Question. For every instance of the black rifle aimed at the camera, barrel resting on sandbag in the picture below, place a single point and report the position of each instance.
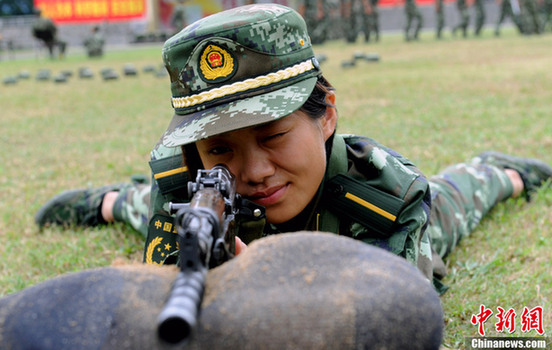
(206, 236)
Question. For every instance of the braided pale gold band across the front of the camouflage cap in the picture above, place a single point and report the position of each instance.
(240, 86)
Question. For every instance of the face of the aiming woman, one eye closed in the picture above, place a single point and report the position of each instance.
(279, 165)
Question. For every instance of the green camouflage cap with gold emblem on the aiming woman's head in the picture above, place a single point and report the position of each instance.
(237, 68)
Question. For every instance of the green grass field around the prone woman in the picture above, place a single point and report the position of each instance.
(437, 103)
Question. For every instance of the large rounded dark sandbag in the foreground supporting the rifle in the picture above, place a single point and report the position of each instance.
(300, 290)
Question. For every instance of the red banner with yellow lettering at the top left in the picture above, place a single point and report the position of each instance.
(91, 10)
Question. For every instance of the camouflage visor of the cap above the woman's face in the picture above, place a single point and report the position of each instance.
(238, 114)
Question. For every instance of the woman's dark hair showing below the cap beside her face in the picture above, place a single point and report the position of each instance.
(314, 107)
